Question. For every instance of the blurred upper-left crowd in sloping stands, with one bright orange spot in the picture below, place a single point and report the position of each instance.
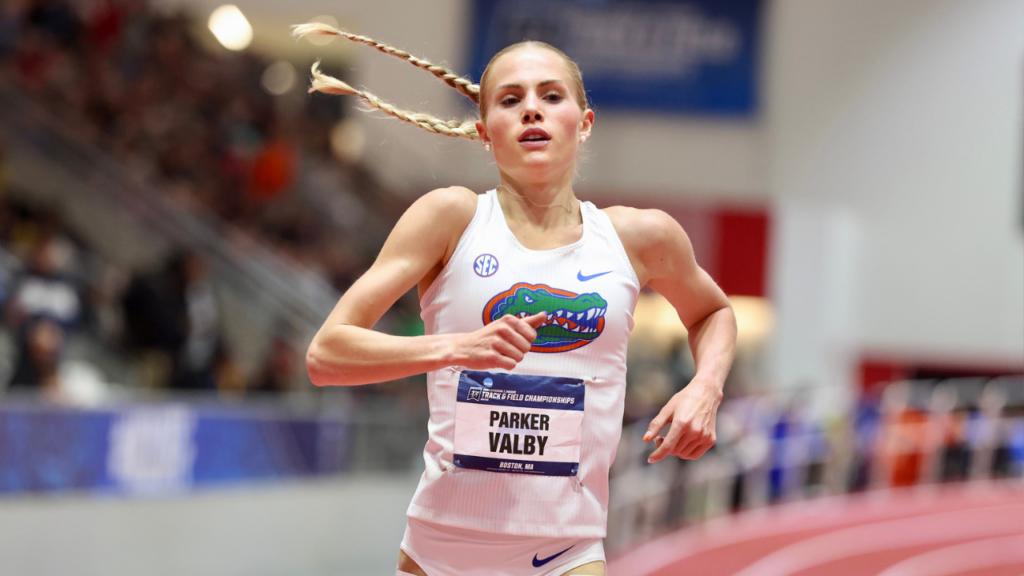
(199, 126)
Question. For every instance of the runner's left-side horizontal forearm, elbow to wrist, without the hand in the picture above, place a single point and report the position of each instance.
(349, 356)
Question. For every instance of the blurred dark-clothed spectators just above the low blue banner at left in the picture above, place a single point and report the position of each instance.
(55, 289)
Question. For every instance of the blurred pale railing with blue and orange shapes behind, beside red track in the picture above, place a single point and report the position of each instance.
(774, 450)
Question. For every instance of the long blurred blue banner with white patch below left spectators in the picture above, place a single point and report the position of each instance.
(161, 449)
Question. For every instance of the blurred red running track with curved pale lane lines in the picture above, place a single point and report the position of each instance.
(957, 530)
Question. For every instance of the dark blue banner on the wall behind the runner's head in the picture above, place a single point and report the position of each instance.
(689, 57)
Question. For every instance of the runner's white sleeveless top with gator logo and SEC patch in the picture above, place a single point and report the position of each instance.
(590, 291)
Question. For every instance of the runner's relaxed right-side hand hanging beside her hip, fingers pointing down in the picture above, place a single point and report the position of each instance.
(692, 414)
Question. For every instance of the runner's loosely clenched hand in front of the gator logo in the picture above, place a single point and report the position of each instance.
(503, 344)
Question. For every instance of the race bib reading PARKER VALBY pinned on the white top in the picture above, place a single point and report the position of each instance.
(519, 424)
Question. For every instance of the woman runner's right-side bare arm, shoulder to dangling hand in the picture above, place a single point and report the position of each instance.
(663, 257)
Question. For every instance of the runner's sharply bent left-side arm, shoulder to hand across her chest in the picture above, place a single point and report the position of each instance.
(348, 352)
